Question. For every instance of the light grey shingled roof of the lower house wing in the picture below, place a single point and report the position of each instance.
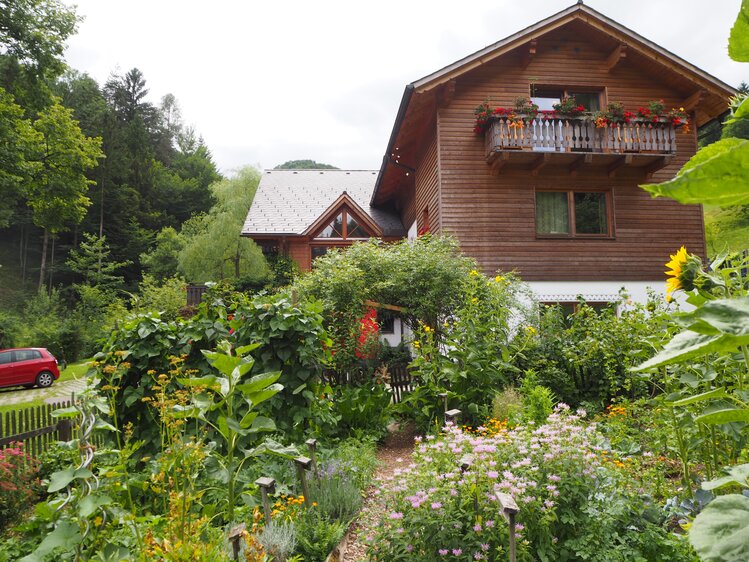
(287, 202)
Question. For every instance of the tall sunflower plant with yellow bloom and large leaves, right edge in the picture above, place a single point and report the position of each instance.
(720, 322)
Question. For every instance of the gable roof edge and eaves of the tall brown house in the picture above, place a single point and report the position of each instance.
(712, 106)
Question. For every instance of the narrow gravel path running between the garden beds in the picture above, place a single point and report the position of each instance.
(395, 453)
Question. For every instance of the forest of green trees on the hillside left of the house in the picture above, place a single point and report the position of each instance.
(110, 202)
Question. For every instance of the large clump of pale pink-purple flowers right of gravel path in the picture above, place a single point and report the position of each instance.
(573, 504)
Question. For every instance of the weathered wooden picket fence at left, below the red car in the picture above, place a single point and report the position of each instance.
(36, 427)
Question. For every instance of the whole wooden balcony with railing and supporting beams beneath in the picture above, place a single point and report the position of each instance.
(534, 143)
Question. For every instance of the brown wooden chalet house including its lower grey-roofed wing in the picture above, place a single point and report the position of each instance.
(551, 194)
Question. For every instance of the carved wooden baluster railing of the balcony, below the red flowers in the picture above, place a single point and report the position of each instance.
(579, 135)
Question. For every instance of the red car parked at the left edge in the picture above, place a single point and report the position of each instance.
(28, 367)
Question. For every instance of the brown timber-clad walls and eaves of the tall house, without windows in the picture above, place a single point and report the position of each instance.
(482, 188)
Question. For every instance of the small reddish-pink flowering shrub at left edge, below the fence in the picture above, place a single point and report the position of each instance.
(18, 482)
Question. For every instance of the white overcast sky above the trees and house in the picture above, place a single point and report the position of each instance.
(275, 80)
